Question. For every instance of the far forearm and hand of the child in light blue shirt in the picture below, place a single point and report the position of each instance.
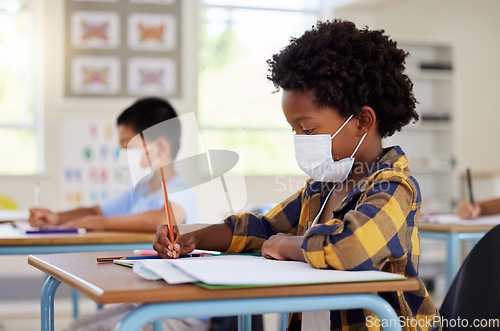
(46, 217)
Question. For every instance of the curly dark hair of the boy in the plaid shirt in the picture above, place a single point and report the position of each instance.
(348, 68)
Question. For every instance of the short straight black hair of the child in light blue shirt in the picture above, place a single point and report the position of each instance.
(147, 112)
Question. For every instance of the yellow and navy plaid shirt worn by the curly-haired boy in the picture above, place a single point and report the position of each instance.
(373, 228)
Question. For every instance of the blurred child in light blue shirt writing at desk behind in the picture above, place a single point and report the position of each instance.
(128, 210)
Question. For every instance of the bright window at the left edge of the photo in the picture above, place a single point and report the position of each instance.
(20, 101)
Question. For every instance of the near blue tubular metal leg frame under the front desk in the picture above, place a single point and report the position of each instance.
(151, 312)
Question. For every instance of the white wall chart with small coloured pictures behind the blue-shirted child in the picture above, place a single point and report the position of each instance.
(93, 168)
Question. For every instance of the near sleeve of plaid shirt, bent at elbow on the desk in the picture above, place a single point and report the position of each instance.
(369, 234)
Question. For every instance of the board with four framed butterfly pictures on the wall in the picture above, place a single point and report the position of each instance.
(122, 48)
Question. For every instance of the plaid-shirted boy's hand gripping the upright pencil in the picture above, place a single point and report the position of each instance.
(183, 244)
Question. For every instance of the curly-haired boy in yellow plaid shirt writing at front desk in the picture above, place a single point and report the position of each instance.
(343, 91)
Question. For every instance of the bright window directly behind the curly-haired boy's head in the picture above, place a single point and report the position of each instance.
(237, 108)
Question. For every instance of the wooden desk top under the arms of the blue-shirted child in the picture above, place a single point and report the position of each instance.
(88, 238)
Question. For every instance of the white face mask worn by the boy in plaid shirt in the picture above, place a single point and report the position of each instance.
(314, 156)
